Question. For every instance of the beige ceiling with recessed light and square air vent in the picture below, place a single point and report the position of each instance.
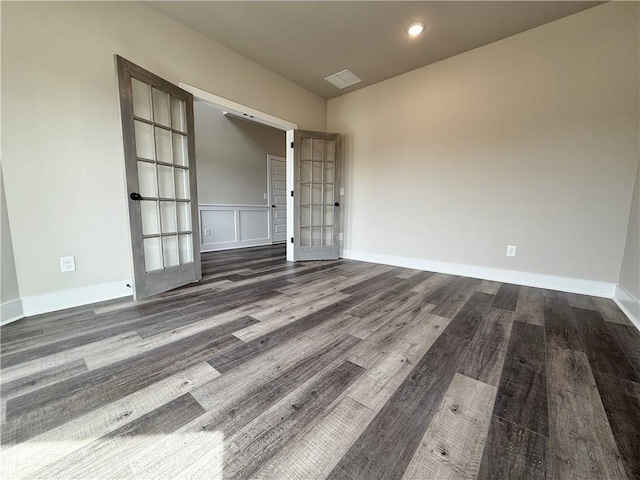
(306, 41)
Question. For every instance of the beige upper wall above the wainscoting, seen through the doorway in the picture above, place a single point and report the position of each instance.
(231, 157)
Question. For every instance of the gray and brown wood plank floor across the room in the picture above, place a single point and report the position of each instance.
(341, 370)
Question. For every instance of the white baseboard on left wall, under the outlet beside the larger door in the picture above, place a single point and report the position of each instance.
(50, 302)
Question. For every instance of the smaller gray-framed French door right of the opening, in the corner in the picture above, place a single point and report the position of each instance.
(317, 167)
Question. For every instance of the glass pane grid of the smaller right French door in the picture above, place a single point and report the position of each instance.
(317, 191)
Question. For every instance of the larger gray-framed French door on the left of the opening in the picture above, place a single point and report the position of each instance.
(159, 151)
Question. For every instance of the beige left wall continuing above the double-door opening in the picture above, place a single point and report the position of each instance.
(62, 149)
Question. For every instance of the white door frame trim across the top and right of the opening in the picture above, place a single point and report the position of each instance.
(257, 116)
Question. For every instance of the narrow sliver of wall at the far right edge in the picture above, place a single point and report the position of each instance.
(630, 271)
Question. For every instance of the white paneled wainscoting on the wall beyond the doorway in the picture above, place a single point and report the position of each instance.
(233, 226)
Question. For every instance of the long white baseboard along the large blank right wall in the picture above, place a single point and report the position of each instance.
(565, 284)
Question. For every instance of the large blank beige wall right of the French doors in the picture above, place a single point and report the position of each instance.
(530, 141)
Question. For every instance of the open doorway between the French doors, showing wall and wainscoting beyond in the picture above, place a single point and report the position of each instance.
(241, 180)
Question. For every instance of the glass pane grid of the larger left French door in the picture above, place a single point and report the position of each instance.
(163, 174)
